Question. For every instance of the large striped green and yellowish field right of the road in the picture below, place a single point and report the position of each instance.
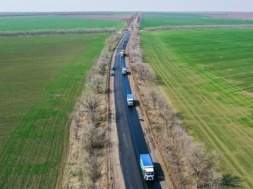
(207, 74)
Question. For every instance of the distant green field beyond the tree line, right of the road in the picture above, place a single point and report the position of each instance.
(179, 19)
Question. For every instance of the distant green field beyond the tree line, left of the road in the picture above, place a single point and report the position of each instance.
(24, 23)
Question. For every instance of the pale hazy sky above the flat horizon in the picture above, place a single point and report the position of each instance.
(125, 5)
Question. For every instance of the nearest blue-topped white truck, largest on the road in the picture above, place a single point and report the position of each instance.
(147, 167)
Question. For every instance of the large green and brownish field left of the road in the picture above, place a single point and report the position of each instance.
(41, 78)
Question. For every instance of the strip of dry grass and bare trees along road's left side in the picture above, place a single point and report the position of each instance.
(87, 162)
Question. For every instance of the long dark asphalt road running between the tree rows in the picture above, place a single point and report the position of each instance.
(130, 134)
